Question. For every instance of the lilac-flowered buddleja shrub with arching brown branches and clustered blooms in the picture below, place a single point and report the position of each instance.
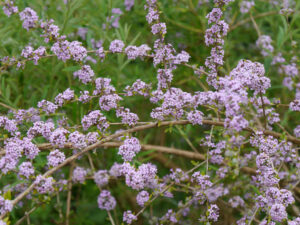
(83, 156)
